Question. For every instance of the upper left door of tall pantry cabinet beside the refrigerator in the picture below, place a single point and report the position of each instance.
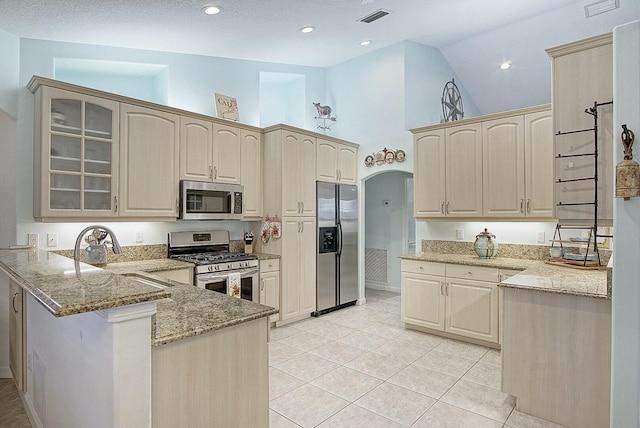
(291, 183)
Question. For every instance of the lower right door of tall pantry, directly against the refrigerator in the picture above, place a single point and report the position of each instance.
(307, 279)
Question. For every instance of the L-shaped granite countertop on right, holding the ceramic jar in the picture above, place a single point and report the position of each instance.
(535, 275)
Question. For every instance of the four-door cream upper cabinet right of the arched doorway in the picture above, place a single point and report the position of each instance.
(496, 166)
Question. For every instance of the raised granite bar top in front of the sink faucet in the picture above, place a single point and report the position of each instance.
(66, 288)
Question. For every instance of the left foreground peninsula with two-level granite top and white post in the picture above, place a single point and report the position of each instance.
(105, 349)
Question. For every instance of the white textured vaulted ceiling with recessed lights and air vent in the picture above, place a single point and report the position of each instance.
(265, 30)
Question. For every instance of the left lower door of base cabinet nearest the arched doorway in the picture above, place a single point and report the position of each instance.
(422, 301)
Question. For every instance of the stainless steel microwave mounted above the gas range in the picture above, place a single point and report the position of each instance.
(201, 200)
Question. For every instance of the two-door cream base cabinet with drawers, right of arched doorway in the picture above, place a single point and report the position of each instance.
(460, 301)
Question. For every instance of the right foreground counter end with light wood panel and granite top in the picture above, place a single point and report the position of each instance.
(556, 346)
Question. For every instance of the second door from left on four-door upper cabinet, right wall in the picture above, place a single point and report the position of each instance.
(464, 171)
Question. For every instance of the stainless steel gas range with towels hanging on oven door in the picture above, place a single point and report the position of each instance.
(216, 268)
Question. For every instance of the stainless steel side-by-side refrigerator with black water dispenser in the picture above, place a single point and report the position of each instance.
(337, 252)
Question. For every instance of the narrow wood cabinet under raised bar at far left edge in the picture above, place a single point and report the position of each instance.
(17, 340)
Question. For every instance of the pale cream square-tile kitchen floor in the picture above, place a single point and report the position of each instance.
(359, 367)
